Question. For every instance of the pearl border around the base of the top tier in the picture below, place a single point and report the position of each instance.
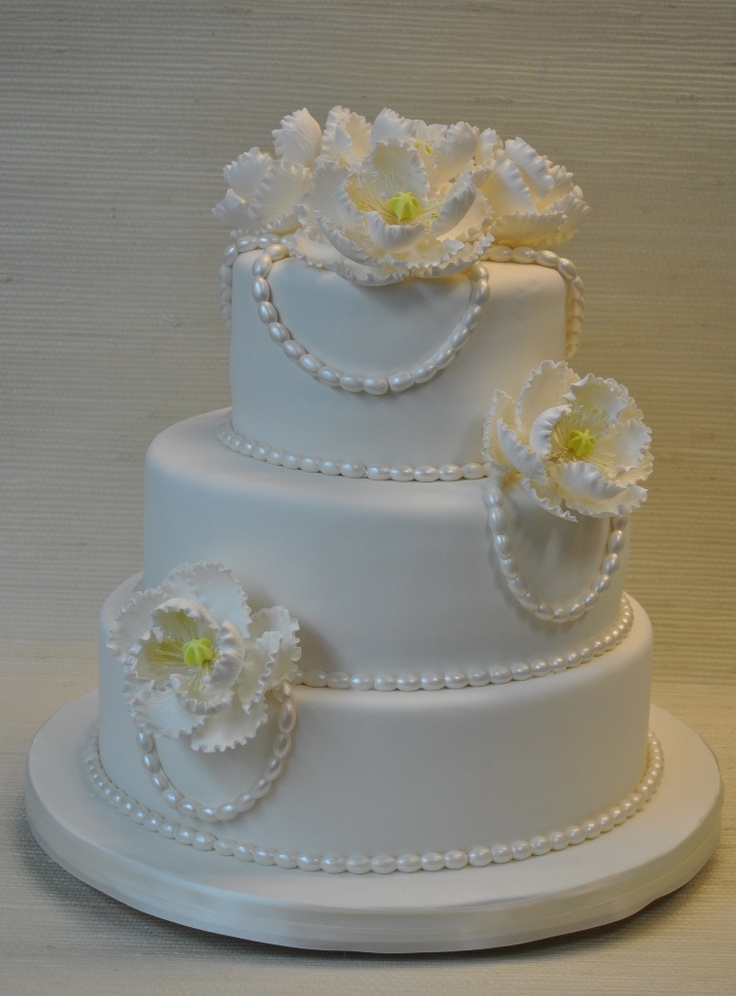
(279, 457)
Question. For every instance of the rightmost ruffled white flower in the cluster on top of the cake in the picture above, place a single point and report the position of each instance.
(535, 203)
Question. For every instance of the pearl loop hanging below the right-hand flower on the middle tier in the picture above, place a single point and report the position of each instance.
(519, 588)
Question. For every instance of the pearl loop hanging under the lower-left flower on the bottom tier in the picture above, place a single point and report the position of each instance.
(223, 812)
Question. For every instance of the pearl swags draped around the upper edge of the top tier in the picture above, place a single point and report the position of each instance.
(272, 250)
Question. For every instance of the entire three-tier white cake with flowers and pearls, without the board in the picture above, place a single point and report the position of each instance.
(392, 289)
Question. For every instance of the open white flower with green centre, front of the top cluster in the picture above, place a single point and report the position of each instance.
(396, 202)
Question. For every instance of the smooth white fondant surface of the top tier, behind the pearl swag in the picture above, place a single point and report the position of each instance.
(380, 330)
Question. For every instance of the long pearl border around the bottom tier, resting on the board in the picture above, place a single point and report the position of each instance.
(478, 857)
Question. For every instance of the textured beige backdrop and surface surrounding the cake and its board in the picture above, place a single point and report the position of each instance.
(115, 121)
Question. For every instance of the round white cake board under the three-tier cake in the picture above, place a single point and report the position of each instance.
(594, 883)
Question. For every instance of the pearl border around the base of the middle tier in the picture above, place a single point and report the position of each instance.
(501, 674)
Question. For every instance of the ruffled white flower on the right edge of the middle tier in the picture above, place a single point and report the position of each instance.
(578, 445)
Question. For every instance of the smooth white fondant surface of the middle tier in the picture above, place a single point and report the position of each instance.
(385, 578)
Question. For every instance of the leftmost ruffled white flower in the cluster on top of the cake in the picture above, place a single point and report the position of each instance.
(263, 191)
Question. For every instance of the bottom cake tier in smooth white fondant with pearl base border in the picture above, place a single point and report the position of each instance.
(383, 780)
